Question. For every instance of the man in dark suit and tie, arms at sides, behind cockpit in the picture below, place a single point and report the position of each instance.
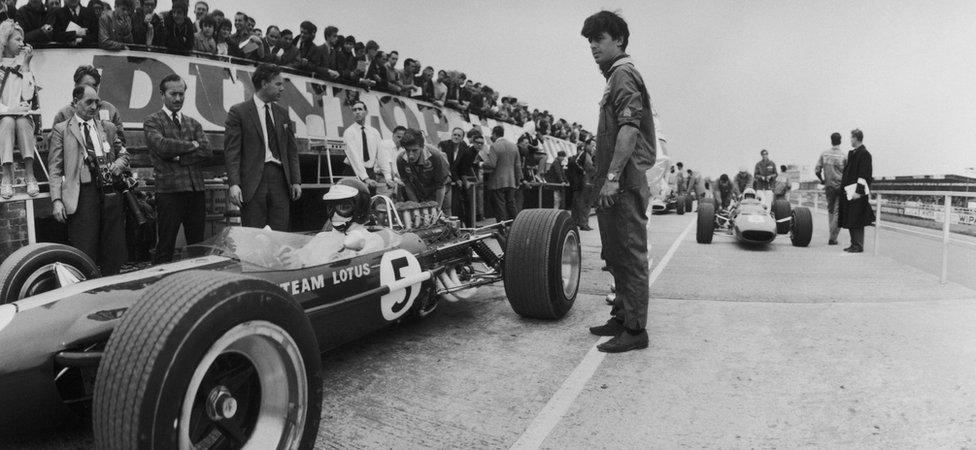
(262, 155)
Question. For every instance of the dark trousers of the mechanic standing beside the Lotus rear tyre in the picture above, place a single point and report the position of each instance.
(623, 233)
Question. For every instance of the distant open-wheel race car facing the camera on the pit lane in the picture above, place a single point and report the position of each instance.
(750, 222)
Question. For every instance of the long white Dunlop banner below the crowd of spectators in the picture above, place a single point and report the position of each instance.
(320, 110)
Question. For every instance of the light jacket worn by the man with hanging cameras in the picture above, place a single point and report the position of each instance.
(66, 156)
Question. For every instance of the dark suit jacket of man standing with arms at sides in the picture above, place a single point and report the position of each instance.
(244, 146)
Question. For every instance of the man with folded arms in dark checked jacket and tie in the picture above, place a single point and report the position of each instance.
(178, 149)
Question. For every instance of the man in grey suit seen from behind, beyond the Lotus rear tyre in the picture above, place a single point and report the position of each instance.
(503, 159)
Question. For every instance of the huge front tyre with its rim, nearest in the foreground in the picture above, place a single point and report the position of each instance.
(209, 358)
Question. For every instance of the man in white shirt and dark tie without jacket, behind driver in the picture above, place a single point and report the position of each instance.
(362, 146)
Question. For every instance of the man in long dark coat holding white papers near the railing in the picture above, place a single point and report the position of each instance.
(855, 210)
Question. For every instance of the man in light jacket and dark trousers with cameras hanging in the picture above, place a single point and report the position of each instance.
(83, 152)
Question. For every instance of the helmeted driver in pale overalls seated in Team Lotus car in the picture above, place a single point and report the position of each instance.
(344, 234)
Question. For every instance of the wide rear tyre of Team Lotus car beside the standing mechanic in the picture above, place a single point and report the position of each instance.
(542, 264)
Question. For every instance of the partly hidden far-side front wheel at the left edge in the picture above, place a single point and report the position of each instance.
(33, 269)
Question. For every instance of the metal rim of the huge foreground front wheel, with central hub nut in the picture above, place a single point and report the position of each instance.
(250, 390)
